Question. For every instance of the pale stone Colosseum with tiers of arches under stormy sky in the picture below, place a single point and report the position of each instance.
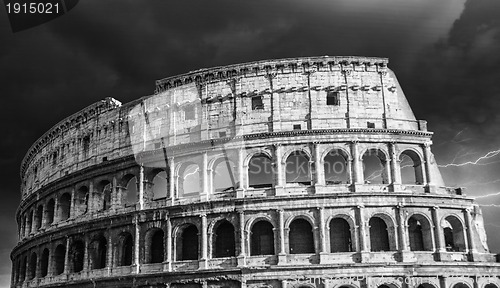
(305, 172)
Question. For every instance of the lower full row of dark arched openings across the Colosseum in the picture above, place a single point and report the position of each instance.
(262, 239)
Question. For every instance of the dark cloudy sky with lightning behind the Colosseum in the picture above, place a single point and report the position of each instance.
(445, 54)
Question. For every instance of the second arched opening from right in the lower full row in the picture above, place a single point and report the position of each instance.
(419, 233)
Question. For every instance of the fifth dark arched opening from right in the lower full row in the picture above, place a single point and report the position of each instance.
(301, 238)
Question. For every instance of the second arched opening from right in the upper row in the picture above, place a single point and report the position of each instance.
(374, 167)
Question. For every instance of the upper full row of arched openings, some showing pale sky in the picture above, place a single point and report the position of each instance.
(188, 182)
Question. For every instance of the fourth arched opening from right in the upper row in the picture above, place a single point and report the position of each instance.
(298, 169)
